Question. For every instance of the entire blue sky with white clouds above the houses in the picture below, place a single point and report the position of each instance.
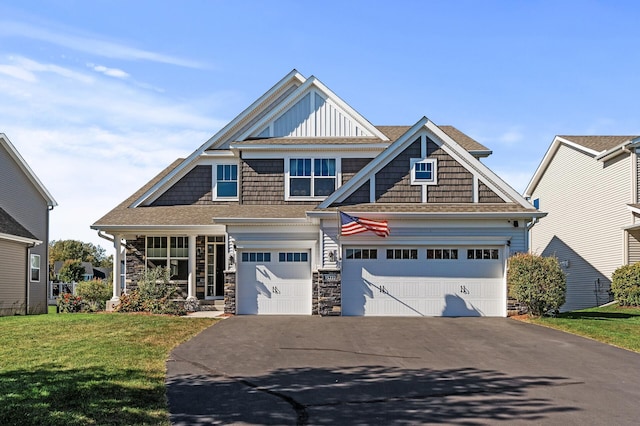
(100, 96)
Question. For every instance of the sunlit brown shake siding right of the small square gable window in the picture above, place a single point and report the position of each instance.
(455, 183)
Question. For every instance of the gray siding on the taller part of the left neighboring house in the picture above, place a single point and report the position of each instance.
(23, 202)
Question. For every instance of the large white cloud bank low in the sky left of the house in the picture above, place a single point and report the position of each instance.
(94, 140)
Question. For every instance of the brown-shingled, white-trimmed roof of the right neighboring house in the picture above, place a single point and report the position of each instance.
(599, 147)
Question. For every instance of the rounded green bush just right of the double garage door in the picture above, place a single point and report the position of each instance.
(537, 282)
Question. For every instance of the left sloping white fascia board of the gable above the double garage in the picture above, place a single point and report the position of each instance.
(374, 166)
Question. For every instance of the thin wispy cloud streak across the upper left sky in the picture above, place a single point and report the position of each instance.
(89, 43)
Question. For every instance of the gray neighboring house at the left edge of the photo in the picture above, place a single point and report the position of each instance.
(24, 235)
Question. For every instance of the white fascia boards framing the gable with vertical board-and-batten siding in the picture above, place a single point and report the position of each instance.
(298, 94)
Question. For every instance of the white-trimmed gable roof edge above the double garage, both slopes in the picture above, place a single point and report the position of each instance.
(446, 142)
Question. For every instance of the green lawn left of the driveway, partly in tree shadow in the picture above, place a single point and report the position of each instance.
(85, 369)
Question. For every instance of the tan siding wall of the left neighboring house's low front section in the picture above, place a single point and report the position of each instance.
(13, 279)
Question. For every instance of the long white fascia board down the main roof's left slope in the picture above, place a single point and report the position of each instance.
(218, 137)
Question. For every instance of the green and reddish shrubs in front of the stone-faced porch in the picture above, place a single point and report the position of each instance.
(154, 294)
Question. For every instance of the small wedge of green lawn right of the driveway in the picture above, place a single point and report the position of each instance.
(615, 325)
